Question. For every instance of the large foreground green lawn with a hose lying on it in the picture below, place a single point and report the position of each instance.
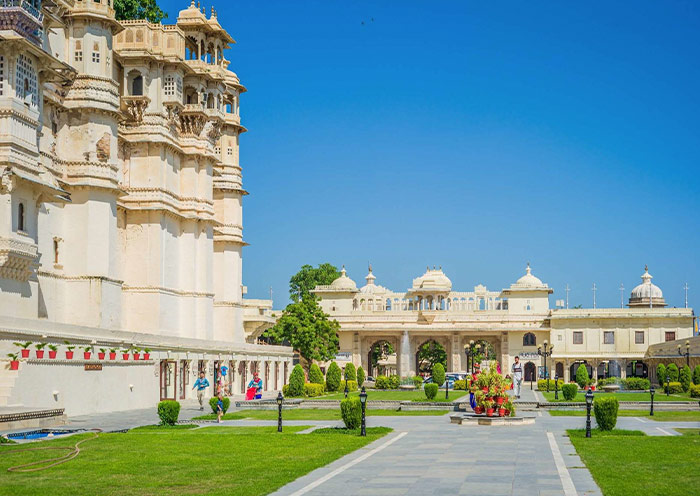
(209, 461)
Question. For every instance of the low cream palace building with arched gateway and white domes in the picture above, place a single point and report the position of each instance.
(513, 321)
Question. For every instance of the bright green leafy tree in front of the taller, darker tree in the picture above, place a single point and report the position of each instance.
(307, 329)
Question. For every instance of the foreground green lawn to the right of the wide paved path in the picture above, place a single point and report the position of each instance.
(631, 464)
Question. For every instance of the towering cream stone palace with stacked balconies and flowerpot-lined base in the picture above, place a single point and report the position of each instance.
(121, 210)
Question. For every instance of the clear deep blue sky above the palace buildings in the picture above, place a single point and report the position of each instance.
(473, 135)
